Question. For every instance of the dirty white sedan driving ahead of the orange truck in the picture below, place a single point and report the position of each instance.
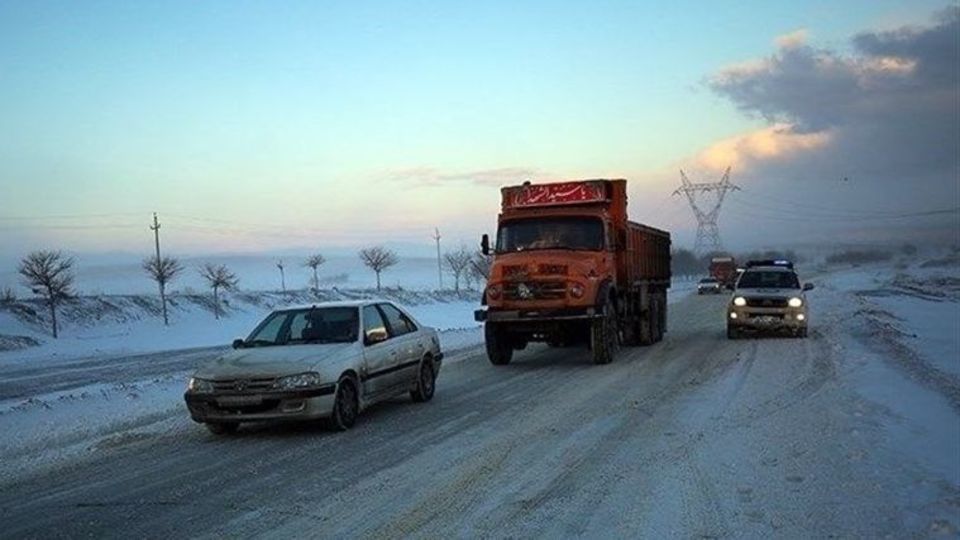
(324, 361)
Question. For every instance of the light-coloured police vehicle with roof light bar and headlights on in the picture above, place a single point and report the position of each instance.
(768, 297)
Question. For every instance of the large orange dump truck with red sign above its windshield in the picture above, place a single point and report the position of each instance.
(569, 268)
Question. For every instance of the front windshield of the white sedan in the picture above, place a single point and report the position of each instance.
(310, 325)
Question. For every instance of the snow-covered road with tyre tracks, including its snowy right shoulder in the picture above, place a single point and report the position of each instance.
(696, 436)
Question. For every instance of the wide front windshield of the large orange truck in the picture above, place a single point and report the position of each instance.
(550, 233)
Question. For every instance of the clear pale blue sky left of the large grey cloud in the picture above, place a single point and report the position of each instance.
(306, 118)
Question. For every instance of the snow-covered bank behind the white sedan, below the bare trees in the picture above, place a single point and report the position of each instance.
(111, 325)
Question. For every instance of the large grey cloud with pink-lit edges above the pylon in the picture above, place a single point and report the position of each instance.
(885, 115)
